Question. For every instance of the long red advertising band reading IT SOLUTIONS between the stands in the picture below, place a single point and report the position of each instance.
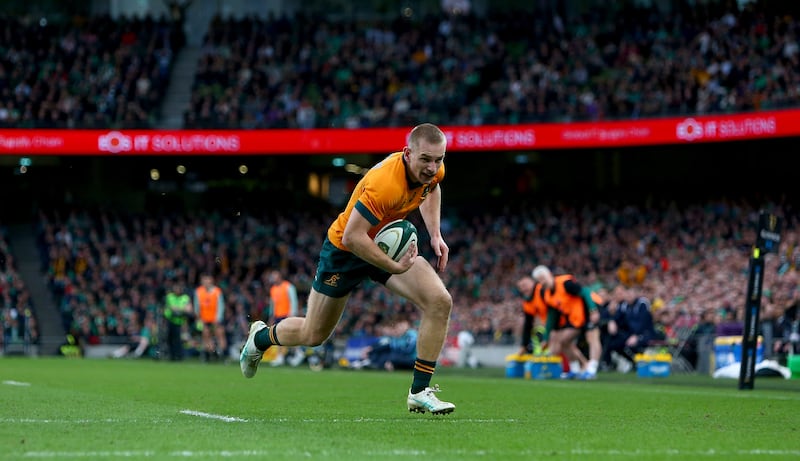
(675, 130)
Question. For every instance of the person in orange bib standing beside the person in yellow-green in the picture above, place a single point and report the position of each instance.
(209, 309)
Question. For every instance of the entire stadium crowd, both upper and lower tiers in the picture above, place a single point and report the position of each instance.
(109, 271)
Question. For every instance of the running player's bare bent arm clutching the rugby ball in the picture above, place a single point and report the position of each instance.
(358, 241)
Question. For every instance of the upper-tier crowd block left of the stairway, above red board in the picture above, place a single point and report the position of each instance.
(93, 72)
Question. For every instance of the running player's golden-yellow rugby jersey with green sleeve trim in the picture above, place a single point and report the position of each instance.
(383, 195)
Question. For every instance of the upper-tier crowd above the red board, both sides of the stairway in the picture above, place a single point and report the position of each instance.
(502, 67)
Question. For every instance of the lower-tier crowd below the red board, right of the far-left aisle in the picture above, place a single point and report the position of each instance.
(110, 271)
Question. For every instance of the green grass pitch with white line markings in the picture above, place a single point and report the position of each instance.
(53, 408)
